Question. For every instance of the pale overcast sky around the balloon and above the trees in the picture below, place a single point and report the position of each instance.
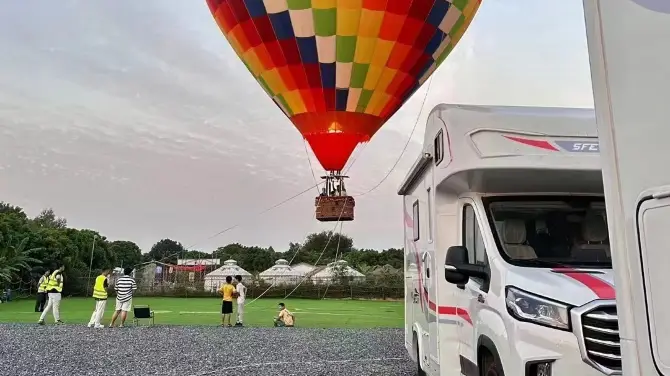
(136, 118)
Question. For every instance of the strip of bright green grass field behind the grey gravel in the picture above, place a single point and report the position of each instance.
(206, 311)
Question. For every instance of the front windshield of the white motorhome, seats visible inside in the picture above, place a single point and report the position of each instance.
(551, 231)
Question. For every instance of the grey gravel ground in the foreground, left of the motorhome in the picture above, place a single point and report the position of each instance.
(198, 351)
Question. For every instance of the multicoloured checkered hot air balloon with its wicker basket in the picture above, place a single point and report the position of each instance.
(339, 69)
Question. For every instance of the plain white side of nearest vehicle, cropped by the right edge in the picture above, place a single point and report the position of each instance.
(628, 52)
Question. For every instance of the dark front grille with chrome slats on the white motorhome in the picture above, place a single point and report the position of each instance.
(600, 328)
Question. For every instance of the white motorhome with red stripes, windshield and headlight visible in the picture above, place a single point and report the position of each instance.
(507, 264)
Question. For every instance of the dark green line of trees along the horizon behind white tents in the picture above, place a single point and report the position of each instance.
(28, 246)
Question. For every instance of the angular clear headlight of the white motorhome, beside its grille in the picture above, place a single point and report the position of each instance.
(529, 307)
